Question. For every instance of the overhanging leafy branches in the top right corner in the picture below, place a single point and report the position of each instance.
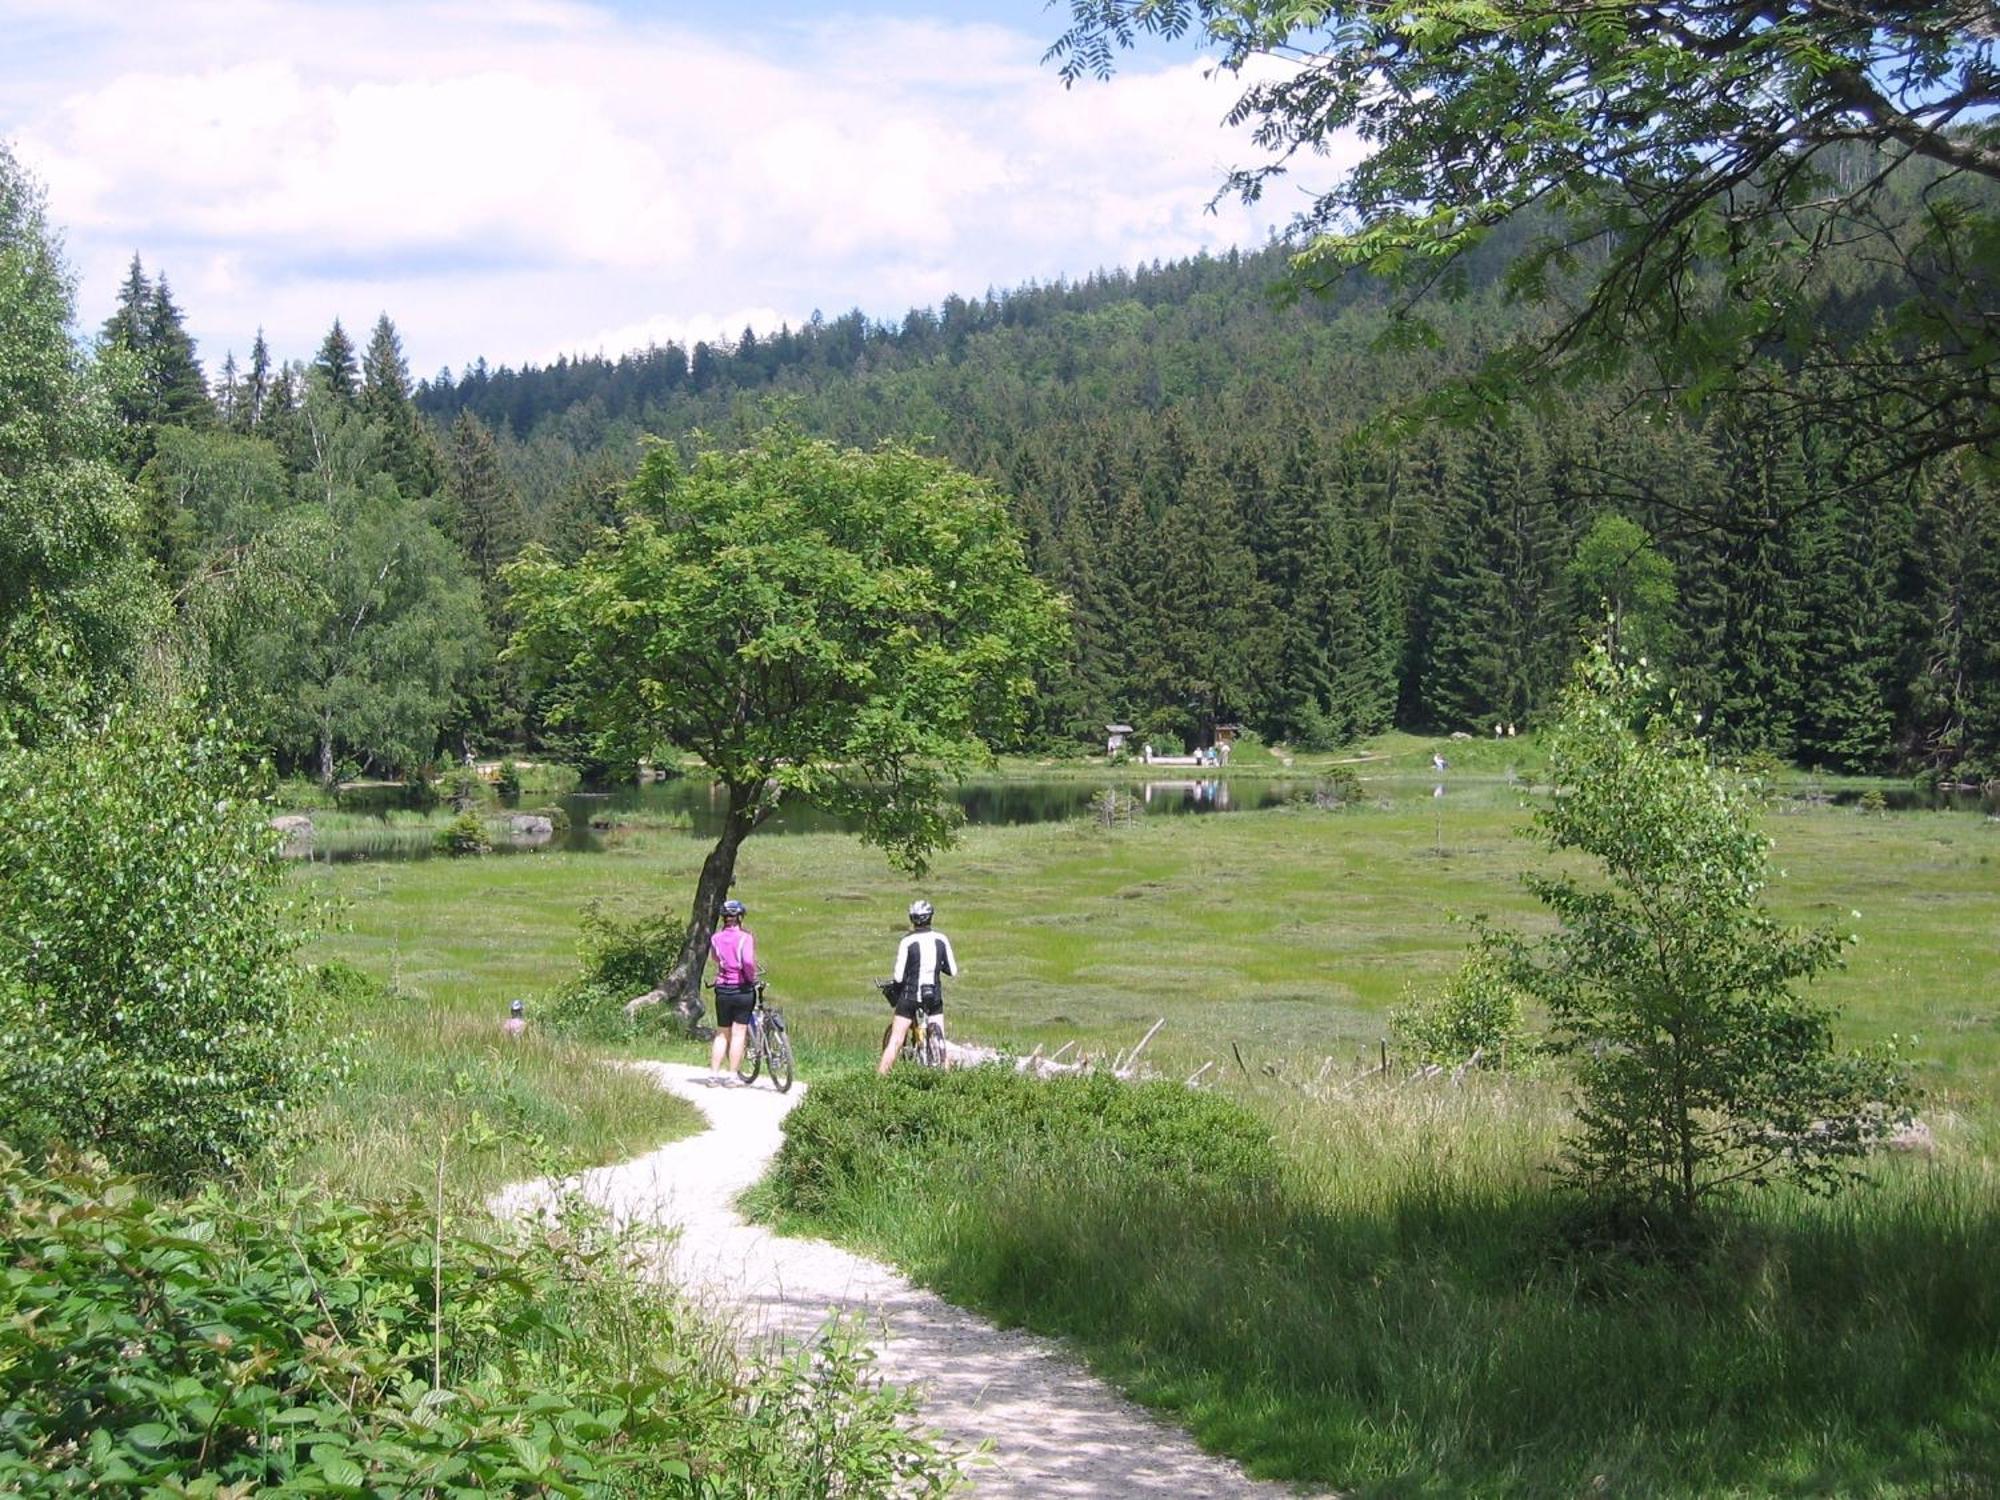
(1675, 177)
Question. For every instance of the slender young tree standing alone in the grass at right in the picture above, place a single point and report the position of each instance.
(1669, 985)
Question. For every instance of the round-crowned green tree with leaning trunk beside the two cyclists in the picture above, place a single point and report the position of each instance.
(821, 625)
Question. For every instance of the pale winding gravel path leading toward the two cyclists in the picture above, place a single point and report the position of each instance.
(1055, 1429)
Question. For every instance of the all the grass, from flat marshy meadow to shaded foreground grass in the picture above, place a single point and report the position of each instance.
(1405, 1305)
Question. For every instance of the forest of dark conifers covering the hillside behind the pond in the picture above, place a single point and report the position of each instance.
(1197, 461)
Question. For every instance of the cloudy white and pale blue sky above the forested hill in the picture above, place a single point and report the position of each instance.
(523, 179)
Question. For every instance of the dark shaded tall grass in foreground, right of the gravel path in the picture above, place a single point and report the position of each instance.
(1447, 1343)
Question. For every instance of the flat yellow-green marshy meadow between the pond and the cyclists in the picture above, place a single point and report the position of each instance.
(1289, 933)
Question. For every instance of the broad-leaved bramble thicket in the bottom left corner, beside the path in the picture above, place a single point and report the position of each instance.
(301, 1345)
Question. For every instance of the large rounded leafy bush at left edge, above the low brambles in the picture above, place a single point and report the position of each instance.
(149, 1001)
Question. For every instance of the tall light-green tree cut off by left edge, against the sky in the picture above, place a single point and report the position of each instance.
(75, 603)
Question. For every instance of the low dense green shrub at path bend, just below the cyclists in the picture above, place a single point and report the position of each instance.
(855, 1129)
